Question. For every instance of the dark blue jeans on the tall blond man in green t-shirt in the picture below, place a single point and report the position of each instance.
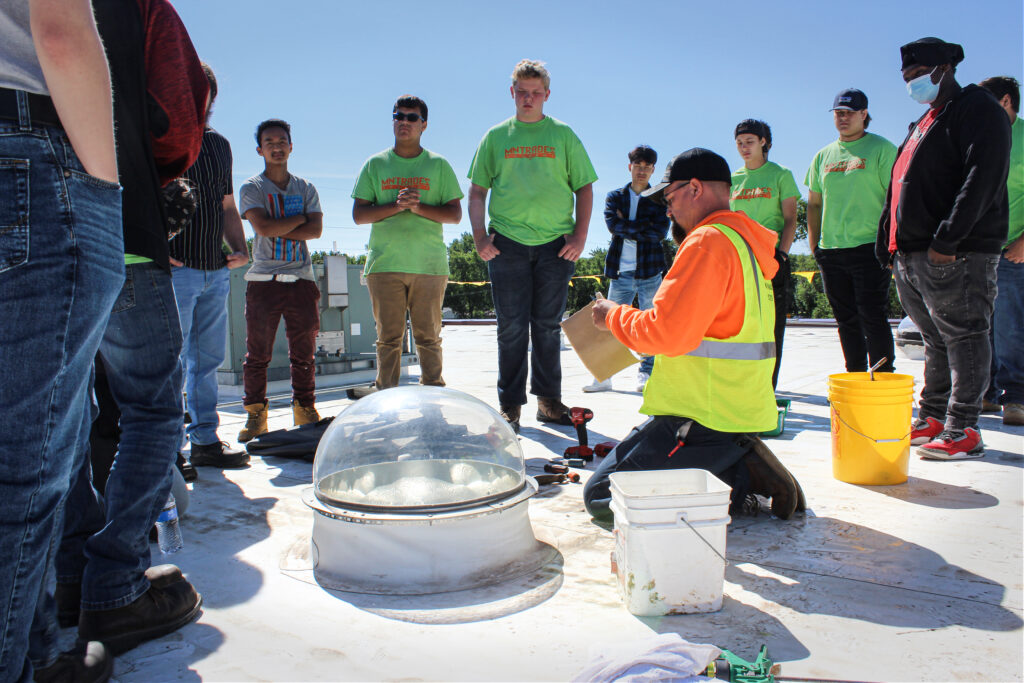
(530, 286)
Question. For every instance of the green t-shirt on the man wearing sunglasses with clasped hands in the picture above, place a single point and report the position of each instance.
(406, 242)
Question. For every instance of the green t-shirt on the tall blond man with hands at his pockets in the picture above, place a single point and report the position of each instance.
(532, 170)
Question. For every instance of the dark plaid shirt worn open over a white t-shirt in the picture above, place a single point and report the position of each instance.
(650, 229)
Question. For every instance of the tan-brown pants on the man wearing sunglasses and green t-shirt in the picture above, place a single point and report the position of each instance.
(393, 294)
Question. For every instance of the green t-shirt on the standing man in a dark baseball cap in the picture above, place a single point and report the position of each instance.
(852, 179)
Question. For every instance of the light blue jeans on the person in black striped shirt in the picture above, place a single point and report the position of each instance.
(202, 300)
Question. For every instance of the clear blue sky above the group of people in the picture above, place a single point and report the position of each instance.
(673, 75)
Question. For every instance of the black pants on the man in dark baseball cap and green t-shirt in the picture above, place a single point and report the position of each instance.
(859, 292)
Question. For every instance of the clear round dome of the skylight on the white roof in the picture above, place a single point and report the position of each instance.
(416, 448)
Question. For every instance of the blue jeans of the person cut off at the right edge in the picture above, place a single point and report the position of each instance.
(1007, 385)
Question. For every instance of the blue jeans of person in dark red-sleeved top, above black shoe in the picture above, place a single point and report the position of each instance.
(140, 352)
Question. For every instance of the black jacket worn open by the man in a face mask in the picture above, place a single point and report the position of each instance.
(955, 192)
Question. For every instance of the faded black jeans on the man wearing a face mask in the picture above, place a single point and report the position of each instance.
(952, 305)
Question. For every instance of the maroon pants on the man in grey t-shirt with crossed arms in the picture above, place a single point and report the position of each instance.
(267, 304)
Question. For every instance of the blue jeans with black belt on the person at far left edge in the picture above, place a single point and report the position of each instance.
(61, 267)
